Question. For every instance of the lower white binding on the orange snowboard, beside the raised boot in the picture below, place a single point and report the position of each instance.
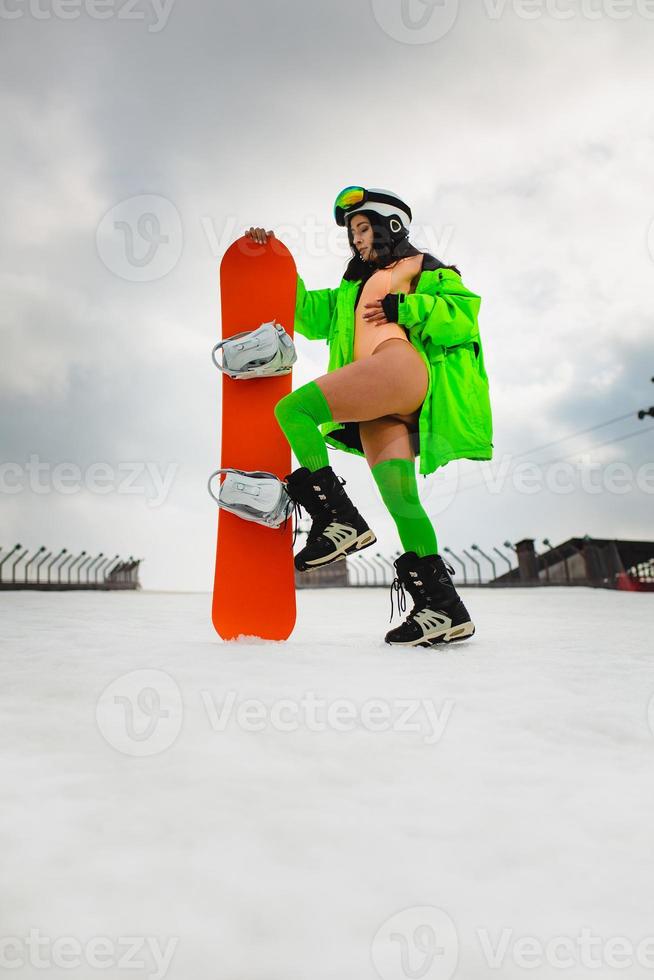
(253, 495)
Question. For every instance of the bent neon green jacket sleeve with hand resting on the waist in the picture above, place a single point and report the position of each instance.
(444, 312)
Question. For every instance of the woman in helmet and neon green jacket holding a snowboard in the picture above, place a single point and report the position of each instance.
(405, 376)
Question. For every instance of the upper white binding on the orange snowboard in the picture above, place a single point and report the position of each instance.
(265, 352)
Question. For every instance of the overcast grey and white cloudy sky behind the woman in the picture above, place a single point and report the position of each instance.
(522, 135)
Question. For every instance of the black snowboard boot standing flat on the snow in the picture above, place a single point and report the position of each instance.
(438, 614)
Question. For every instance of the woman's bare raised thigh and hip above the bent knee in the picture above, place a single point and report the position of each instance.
(391, 381)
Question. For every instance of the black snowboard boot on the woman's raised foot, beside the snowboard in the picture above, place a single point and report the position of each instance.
(338, 529)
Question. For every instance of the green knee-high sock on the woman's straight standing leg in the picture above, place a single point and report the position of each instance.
(396, 479)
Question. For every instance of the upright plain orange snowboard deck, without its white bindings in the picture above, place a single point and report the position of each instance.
(254, 585)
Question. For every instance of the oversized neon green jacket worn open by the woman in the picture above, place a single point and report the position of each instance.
(441, 320)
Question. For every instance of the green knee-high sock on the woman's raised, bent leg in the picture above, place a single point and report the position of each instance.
(299, 415)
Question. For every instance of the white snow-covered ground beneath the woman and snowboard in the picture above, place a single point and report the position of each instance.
(328, 807)
